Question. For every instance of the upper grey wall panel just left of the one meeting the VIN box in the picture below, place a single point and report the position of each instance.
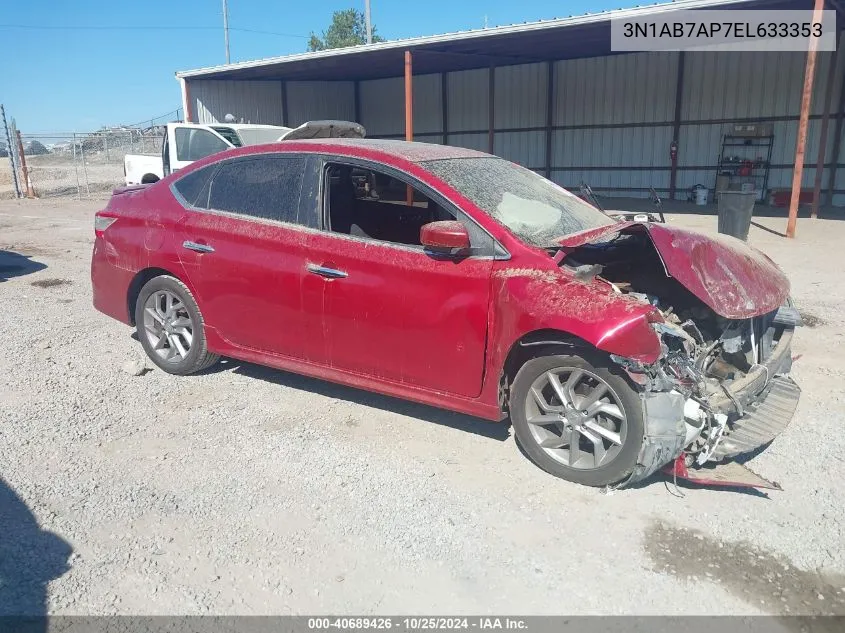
(520, 96)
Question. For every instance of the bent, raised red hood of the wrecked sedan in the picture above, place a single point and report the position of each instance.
(733, 279)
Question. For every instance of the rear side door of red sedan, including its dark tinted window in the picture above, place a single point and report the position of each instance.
(243, 247)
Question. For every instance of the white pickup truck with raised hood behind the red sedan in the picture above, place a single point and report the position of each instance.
(185, 143)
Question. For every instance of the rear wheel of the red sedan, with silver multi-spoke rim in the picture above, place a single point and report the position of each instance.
(173, 307)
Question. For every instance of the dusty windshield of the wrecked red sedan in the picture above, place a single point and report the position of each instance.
(535, 209)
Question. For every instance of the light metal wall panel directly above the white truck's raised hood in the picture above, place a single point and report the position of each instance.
(315, 100)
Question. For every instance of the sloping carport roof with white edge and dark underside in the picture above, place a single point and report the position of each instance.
(462, 50)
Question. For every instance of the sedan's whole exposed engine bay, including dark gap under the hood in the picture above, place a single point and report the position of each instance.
(720, 387)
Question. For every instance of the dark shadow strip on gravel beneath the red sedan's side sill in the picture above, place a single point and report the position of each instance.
(469, 424)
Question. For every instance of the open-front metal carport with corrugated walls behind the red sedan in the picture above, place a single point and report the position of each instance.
(552, 96)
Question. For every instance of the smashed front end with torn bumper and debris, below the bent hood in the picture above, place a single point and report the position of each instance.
(712, 399)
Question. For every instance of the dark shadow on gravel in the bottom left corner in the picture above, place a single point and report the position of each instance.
(29, 559)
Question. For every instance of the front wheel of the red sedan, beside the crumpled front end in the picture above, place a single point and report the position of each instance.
(621, 439)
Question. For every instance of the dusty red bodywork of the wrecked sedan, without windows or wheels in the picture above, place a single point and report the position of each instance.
(404, 323)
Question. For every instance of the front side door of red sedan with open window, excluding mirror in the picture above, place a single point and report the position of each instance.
(390, 310)
